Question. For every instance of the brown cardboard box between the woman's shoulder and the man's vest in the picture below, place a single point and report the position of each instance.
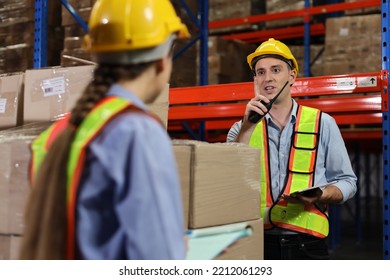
(224, 184)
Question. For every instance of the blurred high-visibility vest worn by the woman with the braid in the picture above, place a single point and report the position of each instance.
(103, 112)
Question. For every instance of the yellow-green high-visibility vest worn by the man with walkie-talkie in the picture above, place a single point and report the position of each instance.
(297, 217)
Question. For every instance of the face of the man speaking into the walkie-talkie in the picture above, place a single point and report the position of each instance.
(271, 75)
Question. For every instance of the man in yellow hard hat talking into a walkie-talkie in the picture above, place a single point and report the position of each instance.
(300, 147)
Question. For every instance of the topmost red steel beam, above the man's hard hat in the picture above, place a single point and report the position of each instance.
(306, 13)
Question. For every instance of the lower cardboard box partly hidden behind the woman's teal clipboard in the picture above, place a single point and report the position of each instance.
(247, 248)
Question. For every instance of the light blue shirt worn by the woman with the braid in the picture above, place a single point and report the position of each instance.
(129, 200)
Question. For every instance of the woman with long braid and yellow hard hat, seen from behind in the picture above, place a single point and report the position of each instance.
(104, 178)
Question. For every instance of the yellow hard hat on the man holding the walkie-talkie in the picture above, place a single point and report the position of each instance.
(276, 48)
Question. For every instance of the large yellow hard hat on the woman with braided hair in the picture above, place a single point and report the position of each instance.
(126, 25)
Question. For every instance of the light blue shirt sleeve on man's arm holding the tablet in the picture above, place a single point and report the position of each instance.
(337, 162)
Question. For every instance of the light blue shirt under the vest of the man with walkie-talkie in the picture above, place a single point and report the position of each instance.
(333, 161)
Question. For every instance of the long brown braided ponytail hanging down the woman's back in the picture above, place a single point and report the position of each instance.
(45, 217)
